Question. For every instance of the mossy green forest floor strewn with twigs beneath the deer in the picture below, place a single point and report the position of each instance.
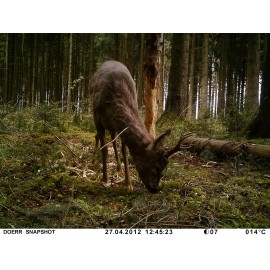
(47, 179)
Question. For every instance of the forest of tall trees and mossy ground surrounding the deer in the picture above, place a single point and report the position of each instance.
(212, 90)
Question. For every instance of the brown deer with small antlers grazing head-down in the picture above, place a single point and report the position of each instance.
(116, 109)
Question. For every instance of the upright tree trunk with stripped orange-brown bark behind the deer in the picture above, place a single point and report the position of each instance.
(152, 89)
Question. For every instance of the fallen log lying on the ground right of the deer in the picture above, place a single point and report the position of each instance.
(223, 148)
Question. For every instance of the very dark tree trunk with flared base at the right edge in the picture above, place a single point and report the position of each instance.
(260, 126)
